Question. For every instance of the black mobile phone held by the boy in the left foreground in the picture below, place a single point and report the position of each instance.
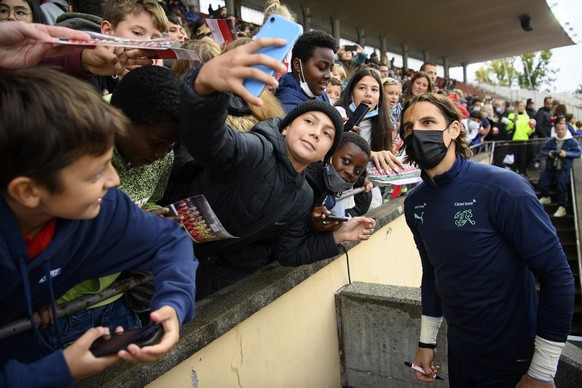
(111, 344)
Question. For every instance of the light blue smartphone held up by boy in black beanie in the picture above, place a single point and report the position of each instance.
(275, 27)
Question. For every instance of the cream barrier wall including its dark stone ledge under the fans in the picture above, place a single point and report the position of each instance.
(277, 327)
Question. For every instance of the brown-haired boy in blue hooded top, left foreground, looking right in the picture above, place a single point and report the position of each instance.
(62, 221)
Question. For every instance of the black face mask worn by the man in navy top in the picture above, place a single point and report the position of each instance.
(426, 147)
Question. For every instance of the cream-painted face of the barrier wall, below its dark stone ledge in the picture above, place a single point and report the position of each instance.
(293, 342)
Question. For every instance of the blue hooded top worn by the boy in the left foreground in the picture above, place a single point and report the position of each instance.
(121, 237)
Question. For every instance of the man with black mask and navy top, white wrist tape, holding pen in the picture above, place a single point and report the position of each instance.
(482, 237)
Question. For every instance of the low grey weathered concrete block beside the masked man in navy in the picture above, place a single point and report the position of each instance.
(379, 327)
